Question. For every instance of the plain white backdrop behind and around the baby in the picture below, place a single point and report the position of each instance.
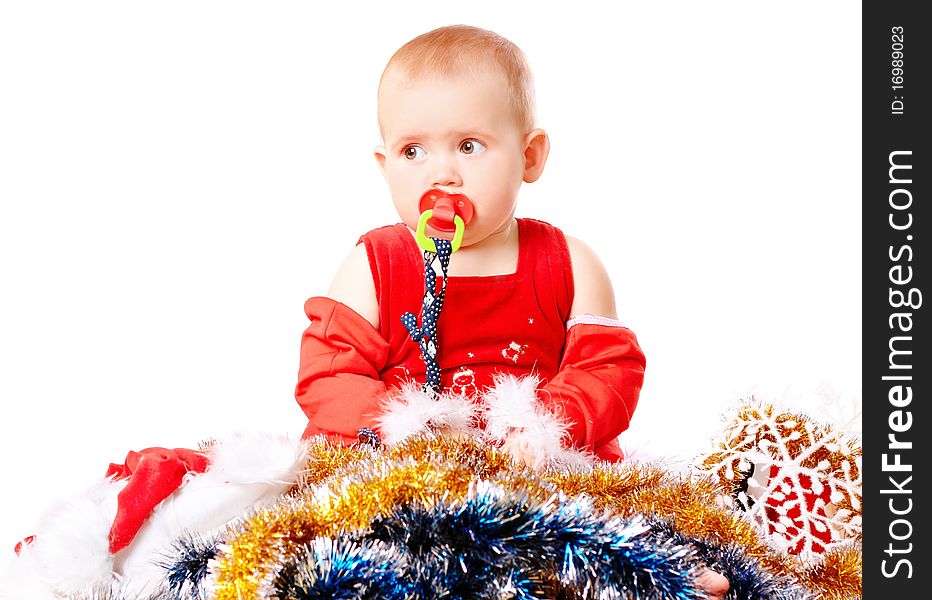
(176, 179)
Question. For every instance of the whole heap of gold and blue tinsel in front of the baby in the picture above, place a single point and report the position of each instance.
(355, 509)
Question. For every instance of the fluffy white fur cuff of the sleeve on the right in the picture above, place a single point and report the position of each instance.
(524, 427)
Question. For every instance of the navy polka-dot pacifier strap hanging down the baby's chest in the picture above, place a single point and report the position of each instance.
(426, 334)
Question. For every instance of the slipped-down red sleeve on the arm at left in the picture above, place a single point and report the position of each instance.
(338, 378)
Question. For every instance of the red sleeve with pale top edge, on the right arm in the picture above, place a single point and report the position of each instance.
(597, 385)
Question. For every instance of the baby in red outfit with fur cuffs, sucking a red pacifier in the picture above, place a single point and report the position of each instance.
(527, 344)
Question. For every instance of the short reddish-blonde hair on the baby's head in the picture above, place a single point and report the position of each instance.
(458, 49)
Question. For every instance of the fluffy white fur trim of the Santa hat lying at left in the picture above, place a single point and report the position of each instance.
(71, 554)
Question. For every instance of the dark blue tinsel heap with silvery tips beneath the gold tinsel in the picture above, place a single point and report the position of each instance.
(500, 542)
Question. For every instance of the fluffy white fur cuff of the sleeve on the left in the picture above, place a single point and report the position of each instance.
(414, 411)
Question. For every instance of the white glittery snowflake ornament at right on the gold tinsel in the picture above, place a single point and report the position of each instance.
(798, 481)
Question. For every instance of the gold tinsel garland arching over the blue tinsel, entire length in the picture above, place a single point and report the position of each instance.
(345, 489)
